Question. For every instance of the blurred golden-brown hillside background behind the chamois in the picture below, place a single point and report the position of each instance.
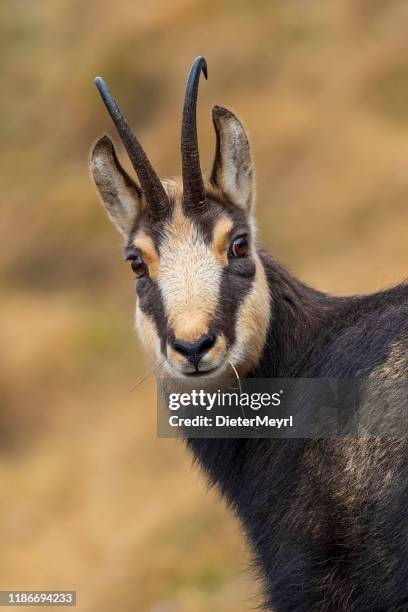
(90, 499)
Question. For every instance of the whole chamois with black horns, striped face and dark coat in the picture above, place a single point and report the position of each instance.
(327, 519)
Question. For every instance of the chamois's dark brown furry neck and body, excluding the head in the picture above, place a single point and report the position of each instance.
(327, 519)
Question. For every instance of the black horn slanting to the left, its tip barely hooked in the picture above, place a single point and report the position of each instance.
(151, 185)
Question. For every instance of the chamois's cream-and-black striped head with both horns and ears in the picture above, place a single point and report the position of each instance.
(202, 294)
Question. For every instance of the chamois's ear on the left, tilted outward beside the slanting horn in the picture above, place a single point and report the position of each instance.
(119, 193)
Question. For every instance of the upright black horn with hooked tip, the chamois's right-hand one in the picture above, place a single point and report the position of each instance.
(193, 185)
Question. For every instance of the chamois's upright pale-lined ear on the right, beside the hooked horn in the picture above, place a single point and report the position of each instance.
(233, 171)
